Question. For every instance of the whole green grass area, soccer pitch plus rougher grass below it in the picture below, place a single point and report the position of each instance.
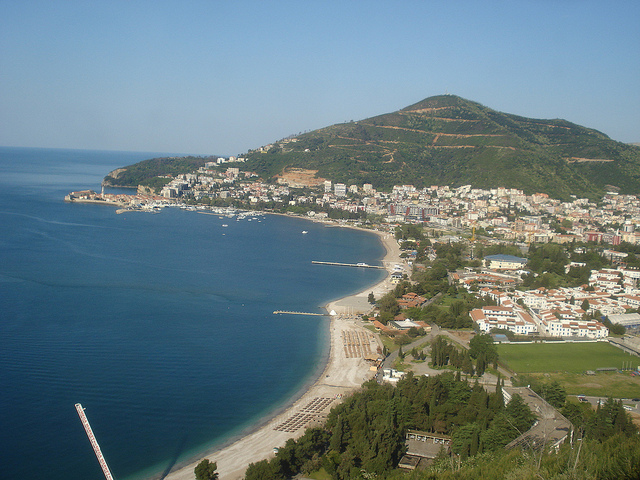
(567, 362)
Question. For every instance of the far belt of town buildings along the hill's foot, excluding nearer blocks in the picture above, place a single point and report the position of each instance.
(501, 213)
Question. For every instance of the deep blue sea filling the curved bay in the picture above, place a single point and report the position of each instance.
(160, 325)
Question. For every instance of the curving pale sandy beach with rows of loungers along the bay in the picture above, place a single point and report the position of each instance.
(345, 371)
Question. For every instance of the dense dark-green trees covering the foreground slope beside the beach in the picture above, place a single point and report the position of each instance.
(364, 437)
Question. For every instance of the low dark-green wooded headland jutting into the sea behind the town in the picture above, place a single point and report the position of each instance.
(145, 172)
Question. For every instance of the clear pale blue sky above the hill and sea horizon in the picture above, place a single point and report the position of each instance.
(221, 77)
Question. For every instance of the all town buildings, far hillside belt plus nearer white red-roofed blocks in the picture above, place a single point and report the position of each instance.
(496, 216)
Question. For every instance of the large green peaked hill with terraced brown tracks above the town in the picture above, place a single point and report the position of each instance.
(447, 140)
